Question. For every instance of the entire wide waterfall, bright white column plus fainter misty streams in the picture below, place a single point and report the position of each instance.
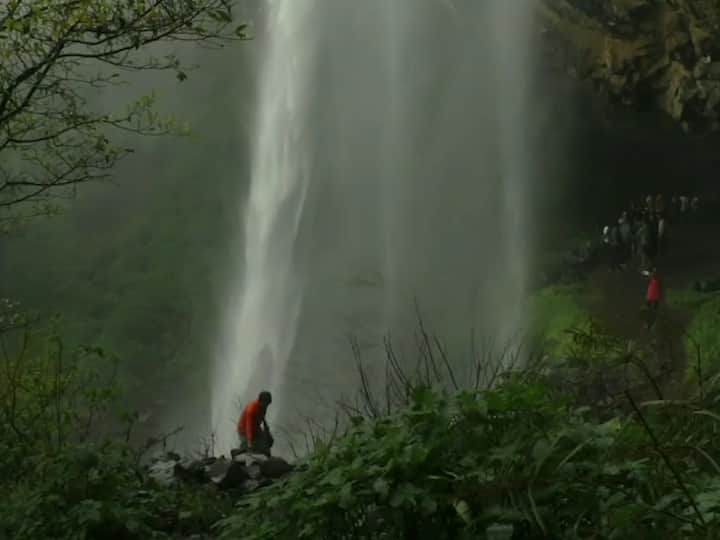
(390, 166)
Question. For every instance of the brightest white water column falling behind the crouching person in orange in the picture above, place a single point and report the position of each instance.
(261, 318)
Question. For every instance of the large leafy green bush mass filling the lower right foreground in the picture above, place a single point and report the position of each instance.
(451, 465)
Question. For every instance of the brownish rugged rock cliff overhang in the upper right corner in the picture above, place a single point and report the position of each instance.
(643, 53)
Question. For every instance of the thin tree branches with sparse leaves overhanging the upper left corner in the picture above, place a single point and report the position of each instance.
(53, 55)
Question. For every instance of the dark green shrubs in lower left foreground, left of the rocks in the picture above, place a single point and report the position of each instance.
(61, 477)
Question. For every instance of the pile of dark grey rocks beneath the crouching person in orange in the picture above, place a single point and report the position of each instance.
(241, 473)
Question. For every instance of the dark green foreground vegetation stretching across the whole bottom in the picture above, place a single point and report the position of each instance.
(524, 452)
